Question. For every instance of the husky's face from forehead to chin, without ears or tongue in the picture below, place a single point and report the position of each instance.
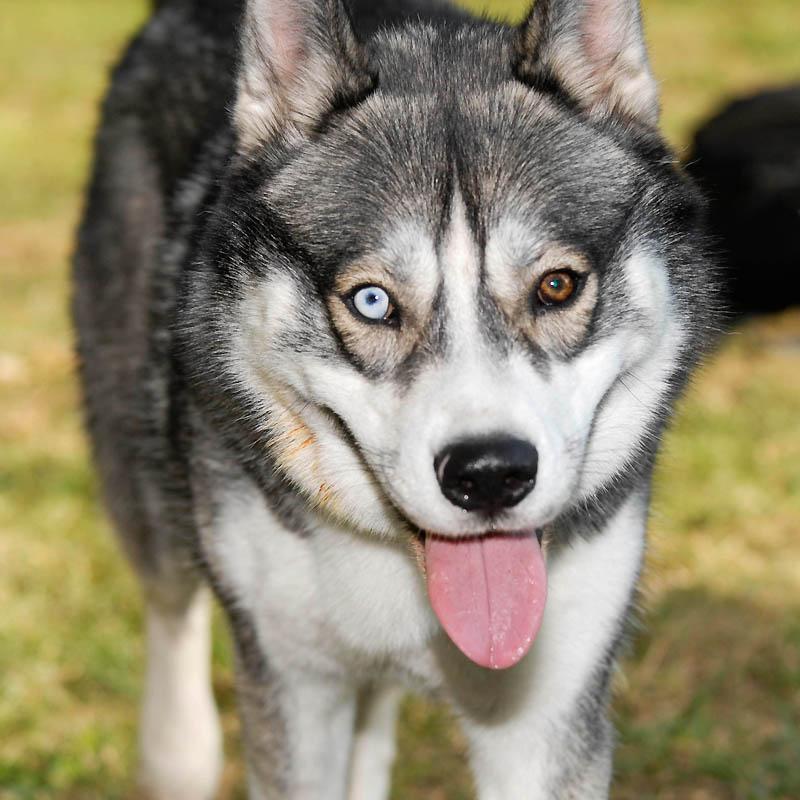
(504, 305)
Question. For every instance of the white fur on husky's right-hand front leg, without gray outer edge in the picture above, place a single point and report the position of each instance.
(589, 588)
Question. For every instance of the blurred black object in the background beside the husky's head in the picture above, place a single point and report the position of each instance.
(747, 158)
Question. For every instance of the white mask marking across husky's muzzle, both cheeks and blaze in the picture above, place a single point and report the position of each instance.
(585, 414)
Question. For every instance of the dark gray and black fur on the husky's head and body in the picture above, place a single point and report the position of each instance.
(219, 169)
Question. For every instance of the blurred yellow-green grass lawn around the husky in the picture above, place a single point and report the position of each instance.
(709, 705)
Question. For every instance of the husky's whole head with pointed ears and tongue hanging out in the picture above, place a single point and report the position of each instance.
(454, 281)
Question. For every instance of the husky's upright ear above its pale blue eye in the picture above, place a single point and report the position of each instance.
(299, 60)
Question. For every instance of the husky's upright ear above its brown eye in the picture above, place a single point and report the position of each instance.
(595, 50)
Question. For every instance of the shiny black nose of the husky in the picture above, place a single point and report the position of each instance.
(487, 474)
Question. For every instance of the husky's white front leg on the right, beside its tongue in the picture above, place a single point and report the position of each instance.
(539, 729)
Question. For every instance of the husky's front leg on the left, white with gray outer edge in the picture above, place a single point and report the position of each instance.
(296, 702)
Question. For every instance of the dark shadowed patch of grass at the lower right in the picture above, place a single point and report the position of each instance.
(711, 706)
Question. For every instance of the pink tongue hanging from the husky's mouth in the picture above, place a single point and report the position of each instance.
(489, 594)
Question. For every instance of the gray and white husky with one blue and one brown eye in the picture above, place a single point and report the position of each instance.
(381, 314)
